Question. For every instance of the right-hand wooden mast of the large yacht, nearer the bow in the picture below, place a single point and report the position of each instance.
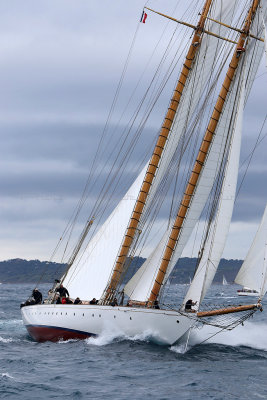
(201, 158)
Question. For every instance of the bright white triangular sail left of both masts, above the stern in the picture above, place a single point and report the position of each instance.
(89, 274)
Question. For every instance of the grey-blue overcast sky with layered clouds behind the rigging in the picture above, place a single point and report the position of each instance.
(60, 61)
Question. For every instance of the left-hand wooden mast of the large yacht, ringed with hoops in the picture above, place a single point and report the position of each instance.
(155, 159)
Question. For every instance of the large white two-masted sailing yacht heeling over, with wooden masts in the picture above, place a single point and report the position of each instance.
(225, 47)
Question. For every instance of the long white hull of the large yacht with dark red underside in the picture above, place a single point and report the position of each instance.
(57, 321)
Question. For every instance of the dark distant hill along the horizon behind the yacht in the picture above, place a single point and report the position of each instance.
(23, 271)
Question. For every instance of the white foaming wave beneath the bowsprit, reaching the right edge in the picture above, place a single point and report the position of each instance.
(251, 335)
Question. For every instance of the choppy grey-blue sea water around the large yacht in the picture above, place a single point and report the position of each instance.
(230, 365)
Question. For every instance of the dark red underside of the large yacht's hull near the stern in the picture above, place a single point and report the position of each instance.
(54, 334)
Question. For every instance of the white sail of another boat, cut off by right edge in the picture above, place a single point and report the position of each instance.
(252, 273)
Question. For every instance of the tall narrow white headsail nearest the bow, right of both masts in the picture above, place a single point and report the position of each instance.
(215, 243)
